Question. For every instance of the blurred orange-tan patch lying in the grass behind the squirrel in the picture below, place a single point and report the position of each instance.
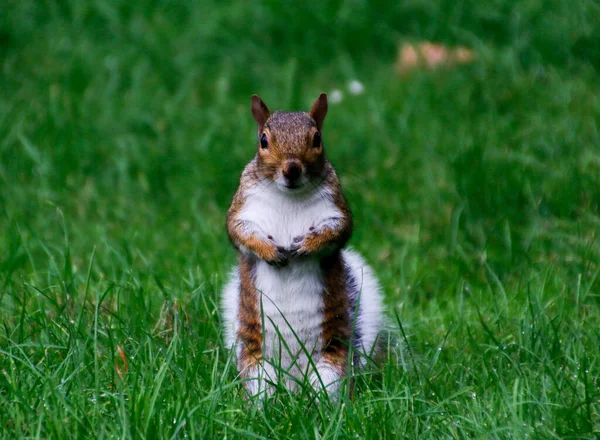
(431, 56)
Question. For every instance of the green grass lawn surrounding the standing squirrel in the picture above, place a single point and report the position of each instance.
(124, 127)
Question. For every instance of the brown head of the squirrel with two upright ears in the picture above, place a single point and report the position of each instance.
(290, 146)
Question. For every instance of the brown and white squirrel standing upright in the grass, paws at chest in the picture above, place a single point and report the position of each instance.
(297, 301)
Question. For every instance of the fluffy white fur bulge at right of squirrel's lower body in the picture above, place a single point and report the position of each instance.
(367, 306)
